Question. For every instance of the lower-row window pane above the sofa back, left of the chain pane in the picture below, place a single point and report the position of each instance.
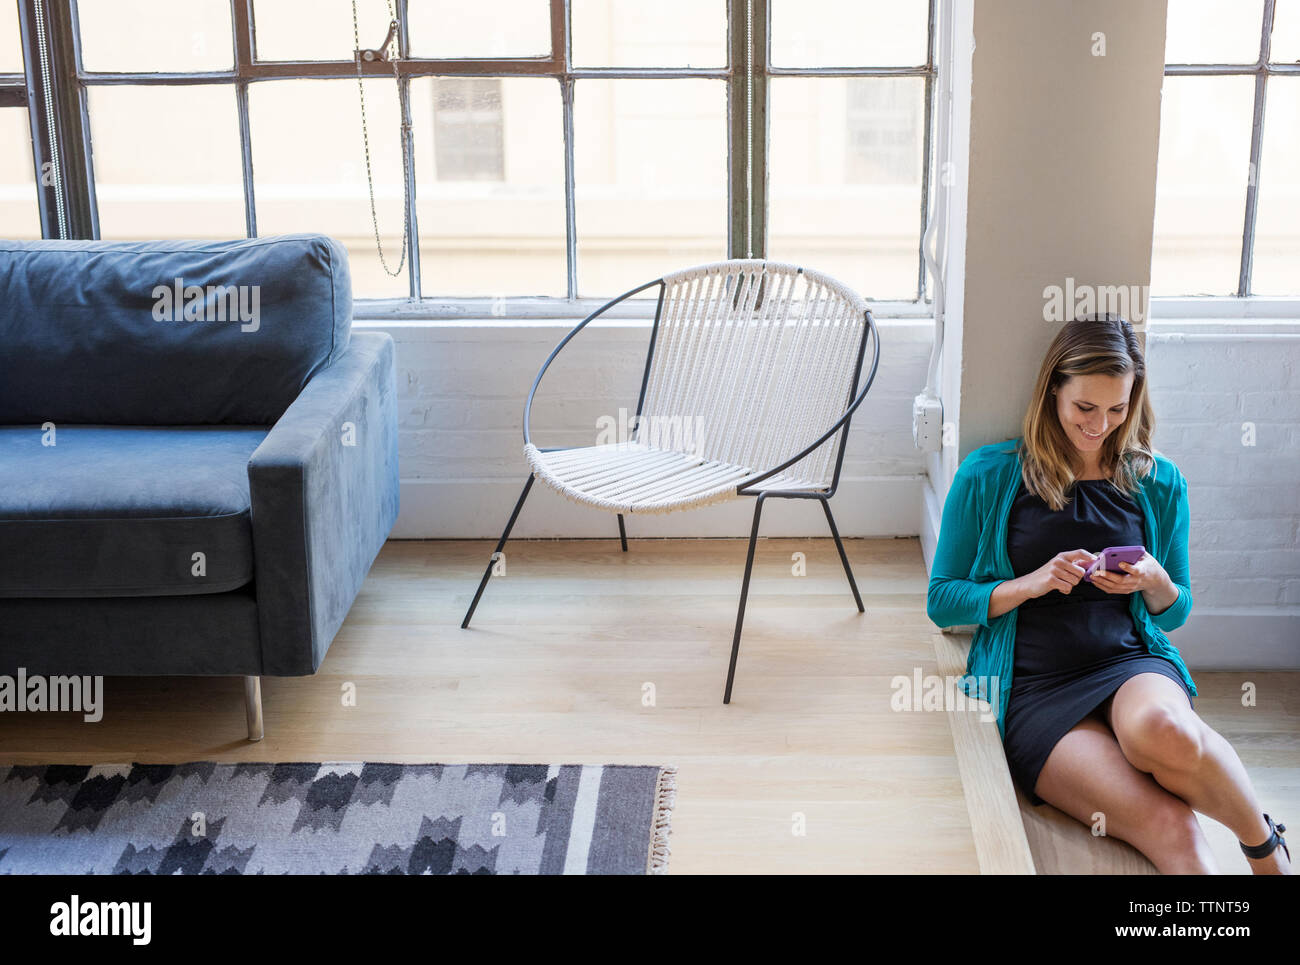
(151, 184)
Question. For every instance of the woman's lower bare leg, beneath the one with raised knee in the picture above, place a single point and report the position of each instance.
(1087, 773)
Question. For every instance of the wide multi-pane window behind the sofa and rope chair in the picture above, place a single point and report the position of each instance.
(558, 150)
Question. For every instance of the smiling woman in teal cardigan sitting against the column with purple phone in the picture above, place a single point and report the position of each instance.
(1097, 703)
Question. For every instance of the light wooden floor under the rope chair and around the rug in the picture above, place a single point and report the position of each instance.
(556, 668)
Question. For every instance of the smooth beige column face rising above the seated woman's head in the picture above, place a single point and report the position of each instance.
(1063, 183)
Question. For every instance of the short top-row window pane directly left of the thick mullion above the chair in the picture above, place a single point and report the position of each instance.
(662, 34)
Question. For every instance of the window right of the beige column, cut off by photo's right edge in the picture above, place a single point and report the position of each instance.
(1228, 193)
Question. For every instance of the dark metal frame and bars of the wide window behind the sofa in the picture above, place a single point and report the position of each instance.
(70, 209)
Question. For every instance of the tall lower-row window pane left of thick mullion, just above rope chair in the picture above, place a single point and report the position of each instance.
(651, 168)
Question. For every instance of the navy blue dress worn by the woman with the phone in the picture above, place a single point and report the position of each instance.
(1073, 651)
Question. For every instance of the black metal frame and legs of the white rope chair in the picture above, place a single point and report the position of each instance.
(743, 490)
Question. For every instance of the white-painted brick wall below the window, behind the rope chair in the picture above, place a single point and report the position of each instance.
(461, 400)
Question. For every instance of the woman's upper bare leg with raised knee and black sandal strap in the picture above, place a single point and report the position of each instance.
(1162, 735)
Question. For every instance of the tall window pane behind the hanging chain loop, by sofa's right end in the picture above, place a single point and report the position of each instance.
(310, 172)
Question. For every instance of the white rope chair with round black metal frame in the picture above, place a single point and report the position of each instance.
(749, 386)
